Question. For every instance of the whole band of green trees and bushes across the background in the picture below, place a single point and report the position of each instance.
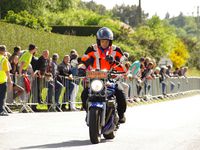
(154, 38)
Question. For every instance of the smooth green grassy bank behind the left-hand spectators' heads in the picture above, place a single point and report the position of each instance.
(12, 35)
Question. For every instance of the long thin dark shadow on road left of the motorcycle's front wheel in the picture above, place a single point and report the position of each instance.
(72, 143)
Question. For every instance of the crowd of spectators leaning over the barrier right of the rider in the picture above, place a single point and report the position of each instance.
(146, 69)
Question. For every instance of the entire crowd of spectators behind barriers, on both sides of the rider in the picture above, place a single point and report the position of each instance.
(47, 74)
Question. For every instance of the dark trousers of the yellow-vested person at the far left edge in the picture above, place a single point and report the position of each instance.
(3, 88)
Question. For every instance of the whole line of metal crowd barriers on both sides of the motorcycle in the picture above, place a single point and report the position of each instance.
(55, 93)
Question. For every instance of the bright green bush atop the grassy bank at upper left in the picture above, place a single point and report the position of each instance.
(26, 19)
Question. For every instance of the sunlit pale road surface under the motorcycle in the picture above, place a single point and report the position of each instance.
(169, 125)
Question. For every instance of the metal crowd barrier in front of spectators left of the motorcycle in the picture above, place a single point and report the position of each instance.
(45, 90)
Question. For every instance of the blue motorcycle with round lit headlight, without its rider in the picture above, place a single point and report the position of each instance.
(102, 116)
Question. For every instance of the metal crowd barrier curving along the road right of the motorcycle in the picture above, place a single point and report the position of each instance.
(170, 86)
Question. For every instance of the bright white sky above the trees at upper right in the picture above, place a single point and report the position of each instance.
(158, 7)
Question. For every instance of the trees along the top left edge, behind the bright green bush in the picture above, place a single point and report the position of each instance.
(37, 7)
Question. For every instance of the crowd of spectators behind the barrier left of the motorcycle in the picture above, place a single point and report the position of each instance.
(37, 75)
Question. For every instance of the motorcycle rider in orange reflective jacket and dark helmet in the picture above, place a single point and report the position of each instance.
(102, 56)
